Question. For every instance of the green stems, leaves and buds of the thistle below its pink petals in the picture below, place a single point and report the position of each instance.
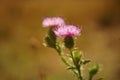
(73, 60)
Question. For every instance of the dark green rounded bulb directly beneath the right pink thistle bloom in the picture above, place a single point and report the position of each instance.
(69, 42)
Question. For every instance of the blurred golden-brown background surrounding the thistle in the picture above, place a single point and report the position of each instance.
(22, 54)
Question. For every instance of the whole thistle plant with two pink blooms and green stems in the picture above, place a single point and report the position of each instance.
(61, 37)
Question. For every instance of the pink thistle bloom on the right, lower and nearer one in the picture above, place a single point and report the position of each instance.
(67, 31)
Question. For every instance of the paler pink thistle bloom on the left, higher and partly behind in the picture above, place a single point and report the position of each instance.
(53, 22)
